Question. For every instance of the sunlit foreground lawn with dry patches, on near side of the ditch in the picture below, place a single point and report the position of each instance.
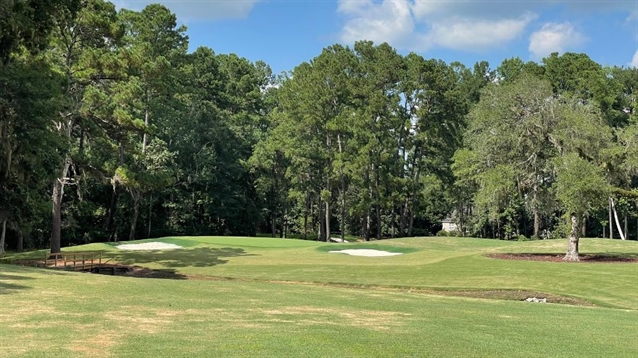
(64, 314)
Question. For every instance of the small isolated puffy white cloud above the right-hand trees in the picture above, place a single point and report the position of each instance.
(554, 37)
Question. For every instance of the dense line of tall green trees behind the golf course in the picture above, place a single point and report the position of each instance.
(111, 129)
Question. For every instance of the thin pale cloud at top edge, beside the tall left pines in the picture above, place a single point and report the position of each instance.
(193, 10)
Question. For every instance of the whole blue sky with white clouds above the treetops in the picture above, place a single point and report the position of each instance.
(285, 33)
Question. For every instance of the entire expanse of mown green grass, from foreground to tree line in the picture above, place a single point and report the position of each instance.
(277, 297)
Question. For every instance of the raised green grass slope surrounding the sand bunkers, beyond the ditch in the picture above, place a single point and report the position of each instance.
(441, 263)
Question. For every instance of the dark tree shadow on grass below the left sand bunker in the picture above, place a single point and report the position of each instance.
(197, 257)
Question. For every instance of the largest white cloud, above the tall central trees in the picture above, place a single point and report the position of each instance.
(407, 24)
